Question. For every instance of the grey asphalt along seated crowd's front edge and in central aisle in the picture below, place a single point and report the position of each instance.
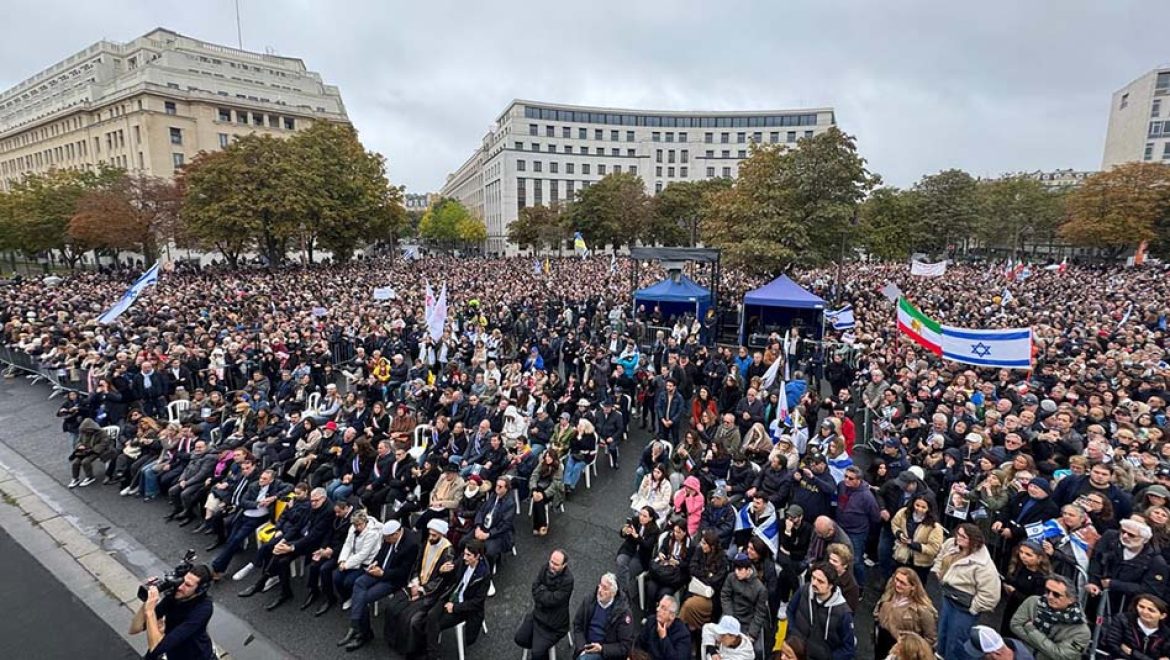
(587, 531)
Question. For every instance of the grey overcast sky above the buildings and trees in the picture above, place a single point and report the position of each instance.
(988, 87)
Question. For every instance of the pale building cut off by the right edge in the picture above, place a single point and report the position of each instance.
(1140, 121)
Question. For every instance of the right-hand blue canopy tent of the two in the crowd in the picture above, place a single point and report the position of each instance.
(776, 307)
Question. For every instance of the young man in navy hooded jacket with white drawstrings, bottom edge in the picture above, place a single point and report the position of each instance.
(821, 618)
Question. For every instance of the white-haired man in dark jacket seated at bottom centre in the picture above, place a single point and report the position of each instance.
(604, 628)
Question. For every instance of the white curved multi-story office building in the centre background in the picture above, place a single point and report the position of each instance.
(542, 154)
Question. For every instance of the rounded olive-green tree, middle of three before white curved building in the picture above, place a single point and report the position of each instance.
(615, 211)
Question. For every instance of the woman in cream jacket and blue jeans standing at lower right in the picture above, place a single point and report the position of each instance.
(971, 586)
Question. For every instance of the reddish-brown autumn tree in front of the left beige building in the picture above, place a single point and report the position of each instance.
(134, 212)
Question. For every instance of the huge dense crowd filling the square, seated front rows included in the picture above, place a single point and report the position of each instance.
(768, 506)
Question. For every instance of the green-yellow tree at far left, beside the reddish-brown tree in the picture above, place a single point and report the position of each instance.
(45, 204)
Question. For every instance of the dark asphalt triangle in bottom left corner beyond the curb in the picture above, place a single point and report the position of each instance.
(36, 608)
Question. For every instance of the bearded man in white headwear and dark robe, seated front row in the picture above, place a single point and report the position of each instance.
(436, 562)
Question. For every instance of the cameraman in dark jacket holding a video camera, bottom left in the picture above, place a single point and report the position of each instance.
(176, 624)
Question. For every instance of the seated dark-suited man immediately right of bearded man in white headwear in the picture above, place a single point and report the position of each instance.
(460, 603)
